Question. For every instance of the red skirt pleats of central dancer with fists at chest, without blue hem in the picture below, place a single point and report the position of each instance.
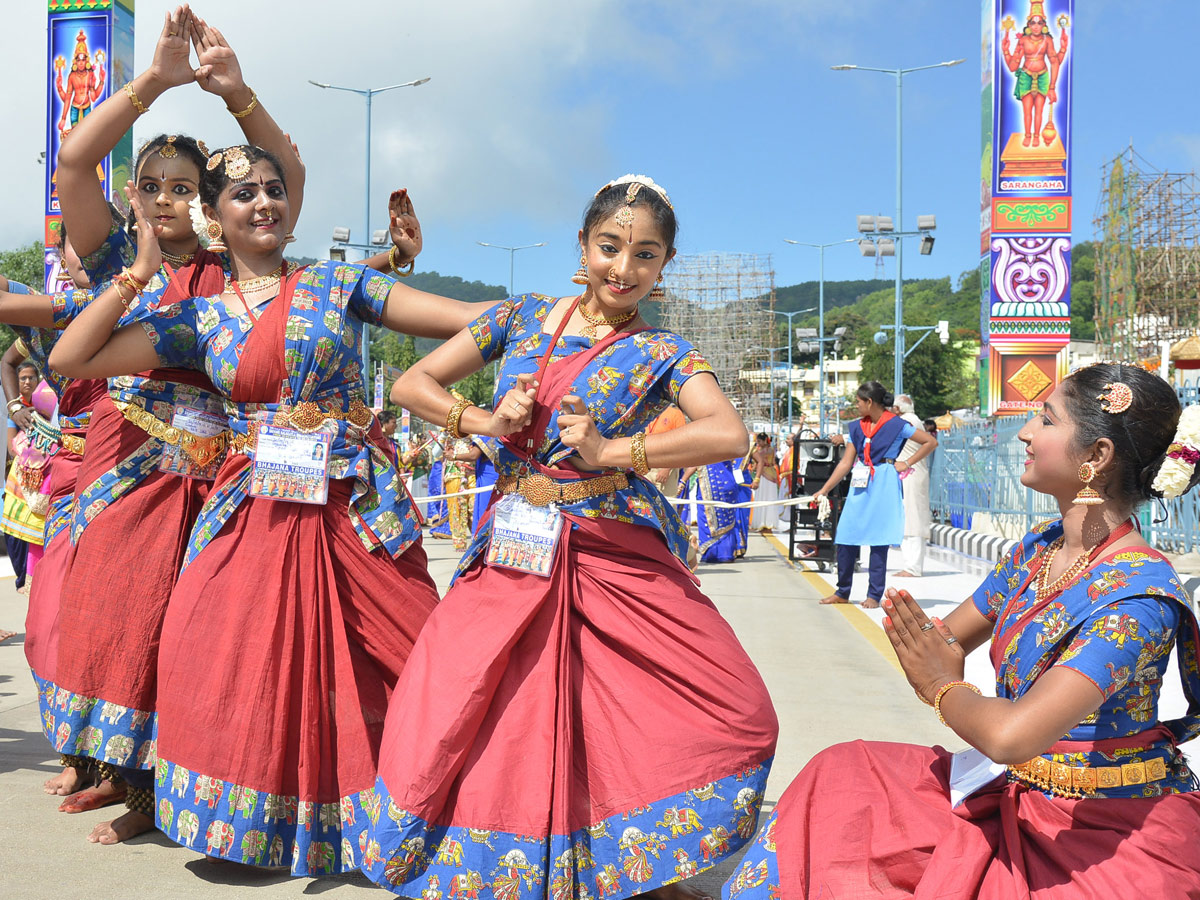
(610, 686)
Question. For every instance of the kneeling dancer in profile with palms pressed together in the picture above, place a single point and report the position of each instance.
(1076, 787)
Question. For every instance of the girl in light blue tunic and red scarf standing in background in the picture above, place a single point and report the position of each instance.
(874, 511)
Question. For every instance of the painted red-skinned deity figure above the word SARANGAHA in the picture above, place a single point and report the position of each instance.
(1036, 63)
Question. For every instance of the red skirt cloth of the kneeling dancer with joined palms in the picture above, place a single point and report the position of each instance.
(874, 820)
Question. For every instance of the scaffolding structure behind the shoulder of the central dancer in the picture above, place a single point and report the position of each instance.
(723, 304)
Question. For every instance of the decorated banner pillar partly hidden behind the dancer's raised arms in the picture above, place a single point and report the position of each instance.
(91, 56)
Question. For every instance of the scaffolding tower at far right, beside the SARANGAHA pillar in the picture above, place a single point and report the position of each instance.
(1148, 257)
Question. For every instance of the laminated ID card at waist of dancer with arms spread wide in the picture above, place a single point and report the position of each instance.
(291, 465)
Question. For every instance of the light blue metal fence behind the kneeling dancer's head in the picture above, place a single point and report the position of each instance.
(975, 484)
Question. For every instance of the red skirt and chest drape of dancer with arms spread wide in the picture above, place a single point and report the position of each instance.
(285, 637)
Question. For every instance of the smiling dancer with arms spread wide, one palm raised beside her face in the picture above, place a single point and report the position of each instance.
(277, 705)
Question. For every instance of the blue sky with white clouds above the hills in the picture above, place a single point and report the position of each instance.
(731, 106)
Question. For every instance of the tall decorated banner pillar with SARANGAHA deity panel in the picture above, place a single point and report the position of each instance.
(1029, 221)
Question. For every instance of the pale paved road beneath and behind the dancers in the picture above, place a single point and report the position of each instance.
(826, 669)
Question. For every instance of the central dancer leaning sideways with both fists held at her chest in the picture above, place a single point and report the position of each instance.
(577, 716)
